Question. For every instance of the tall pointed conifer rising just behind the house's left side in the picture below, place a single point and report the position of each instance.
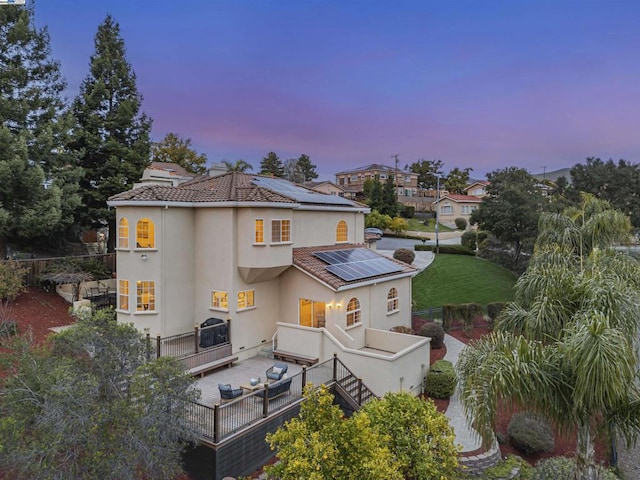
(111, 131)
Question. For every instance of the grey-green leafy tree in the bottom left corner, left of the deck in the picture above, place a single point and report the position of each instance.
(90, 405)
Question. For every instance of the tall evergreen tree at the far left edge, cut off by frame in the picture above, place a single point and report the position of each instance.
(34, 127)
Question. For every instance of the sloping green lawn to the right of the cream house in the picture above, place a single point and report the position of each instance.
(462, 279)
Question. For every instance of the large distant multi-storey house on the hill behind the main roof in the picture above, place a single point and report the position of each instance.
(353, 180)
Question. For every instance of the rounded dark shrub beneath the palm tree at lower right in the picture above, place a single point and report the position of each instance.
(529, 433)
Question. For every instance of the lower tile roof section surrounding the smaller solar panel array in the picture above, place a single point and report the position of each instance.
(304, 259)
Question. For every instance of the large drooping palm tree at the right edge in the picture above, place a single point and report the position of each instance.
(567, 347)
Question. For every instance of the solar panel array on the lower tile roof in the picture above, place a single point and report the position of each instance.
(356, 263)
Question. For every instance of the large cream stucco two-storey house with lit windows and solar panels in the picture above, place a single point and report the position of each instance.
(286, 265)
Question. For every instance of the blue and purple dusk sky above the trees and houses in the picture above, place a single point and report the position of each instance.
(480, 84)
